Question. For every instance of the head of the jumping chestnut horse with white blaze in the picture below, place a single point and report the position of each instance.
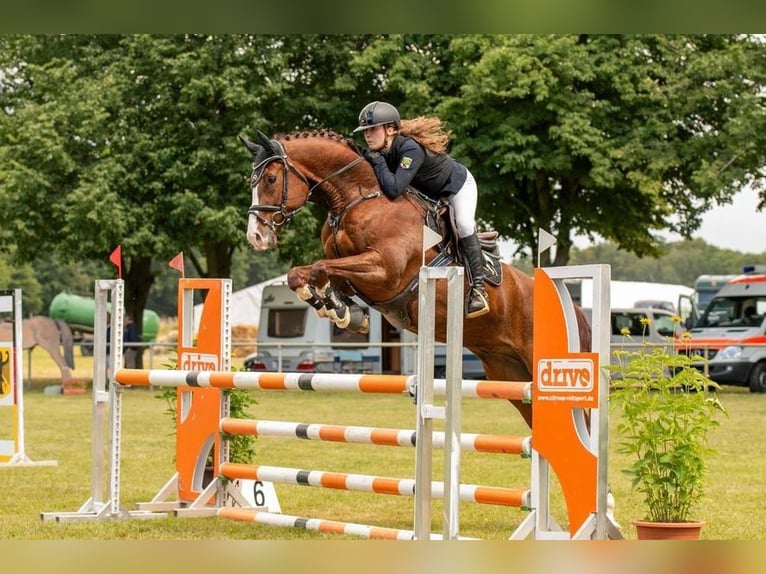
(280, 190)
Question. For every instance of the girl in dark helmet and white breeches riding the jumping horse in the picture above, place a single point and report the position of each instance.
(414, 152)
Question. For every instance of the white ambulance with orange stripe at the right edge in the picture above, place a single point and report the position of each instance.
(731, 332)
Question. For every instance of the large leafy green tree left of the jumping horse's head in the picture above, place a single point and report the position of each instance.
(129, 140)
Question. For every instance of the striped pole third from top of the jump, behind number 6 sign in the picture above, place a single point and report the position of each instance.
(366, 483)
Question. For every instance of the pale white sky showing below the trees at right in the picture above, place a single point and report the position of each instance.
(737, 226)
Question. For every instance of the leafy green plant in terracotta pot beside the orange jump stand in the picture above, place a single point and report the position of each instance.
(667, 408)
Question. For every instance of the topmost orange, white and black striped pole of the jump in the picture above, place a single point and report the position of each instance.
(320, 382)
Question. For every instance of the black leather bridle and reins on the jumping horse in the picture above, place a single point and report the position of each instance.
(283, 215)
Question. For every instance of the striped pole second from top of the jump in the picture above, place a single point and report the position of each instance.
(490, 443)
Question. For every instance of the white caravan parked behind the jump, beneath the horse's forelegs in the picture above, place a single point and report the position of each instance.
(292, 338)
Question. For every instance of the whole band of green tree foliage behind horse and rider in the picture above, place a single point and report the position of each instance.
(131, 140)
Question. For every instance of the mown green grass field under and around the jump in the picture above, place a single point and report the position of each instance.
(59, 427)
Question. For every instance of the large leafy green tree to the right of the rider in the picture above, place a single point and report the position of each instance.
(612, 136)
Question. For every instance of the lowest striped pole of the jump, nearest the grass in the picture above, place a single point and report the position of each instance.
(319, 525)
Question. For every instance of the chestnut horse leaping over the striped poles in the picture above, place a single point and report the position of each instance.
(374, 250)
